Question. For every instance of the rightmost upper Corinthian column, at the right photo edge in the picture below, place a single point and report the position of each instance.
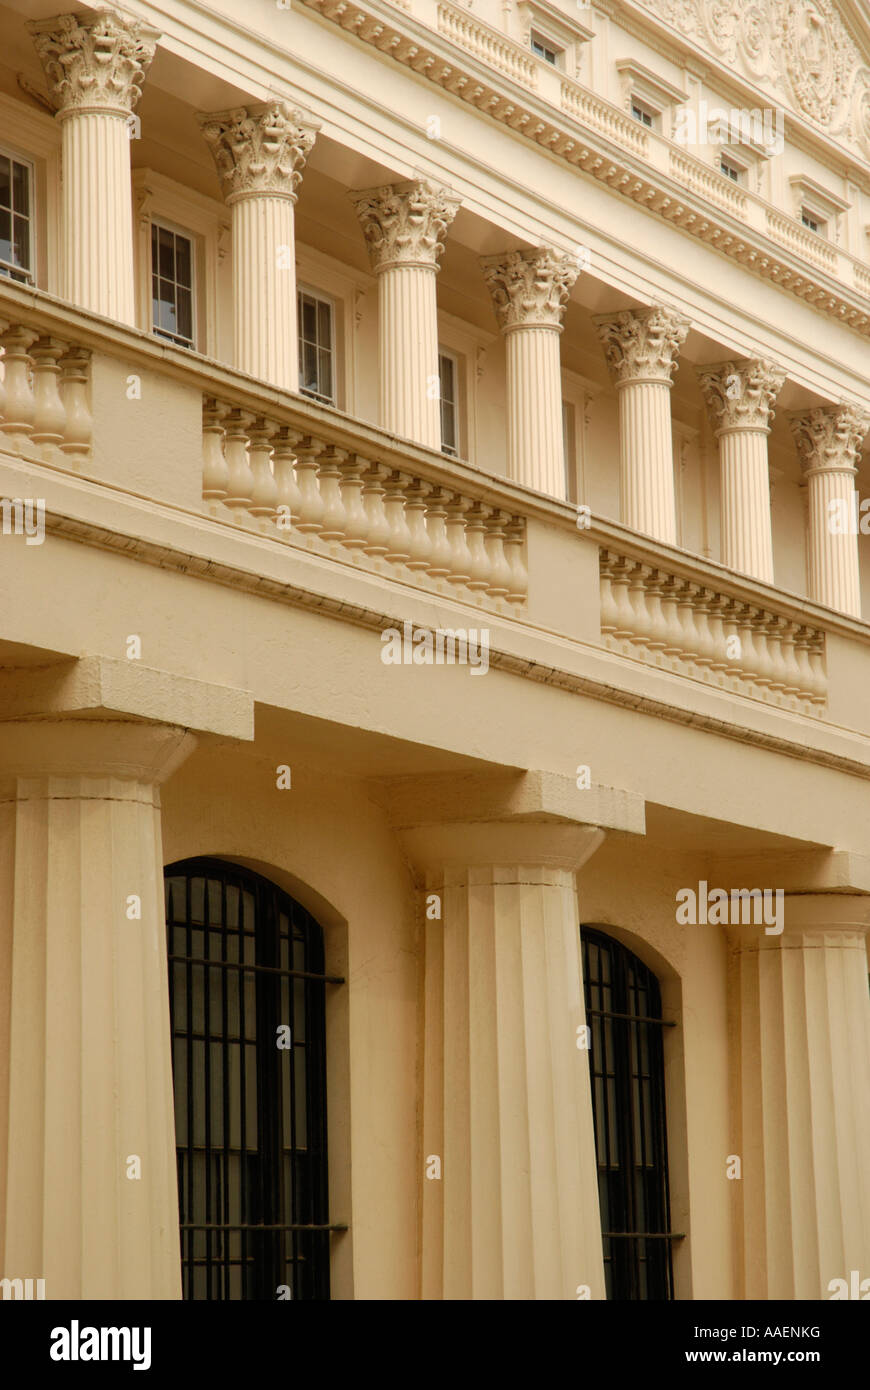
(829, 444)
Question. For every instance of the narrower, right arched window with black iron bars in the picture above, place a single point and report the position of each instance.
(626, 1064)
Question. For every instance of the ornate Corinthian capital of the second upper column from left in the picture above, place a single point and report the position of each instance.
(259, 149)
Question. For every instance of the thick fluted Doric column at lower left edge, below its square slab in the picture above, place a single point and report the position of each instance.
(88, 1184)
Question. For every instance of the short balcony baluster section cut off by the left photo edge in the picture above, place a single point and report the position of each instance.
(45, 411)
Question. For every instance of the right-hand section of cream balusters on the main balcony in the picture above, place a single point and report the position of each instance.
(683, 626)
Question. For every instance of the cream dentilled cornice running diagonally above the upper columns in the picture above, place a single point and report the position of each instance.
(436, 59)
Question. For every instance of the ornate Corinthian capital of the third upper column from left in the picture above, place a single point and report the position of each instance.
(405, 224)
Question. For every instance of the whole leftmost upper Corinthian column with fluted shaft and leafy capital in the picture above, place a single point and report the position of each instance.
(95, 66)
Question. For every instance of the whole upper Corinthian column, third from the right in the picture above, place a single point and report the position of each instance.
(641, 348)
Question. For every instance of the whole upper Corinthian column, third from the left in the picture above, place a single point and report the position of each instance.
(405, 227)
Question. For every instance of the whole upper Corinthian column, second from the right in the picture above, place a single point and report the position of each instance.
(740, 397)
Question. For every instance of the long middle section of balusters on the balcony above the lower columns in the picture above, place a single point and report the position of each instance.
(305, 490)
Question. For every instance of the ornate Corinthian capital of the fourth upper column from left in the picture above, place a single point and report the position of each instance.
(530, 290)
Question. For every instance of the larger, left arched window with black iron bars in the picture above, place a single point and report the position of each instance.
(247, 965)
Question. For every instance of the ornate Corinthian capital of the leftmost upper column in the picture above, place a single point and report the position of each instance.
(94, 62)
